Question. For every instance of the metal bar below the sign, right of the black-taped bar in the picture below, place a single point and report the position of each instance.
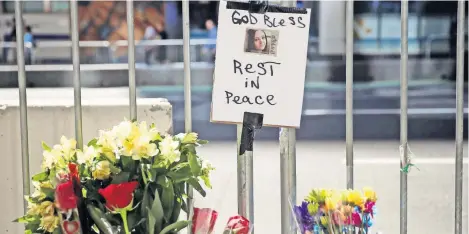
(287, 139)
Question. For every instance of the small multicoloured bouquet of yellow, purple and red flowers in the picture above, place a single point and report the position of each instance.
(336, 212)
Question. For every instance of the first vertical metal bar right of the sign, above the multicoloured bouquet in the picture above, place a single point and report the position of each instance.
(349, 92)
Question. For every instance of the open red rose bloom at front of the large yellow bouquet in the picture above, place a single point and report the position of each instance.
(118, 196)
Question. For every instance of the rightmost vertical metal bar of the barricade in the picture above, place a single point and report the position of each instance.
(459, 117)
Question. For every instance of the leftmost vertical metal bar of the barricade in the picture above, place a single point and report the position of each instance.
(22, 97)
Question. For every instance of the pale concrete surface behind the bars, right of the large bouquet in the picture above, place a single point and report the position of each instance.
(321, 165)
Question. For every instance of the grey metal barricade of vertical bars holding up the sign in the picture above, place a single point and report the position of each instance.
(287, 136)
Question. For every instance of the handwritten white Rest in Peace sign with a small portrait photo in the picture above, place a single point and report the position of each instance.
(260, 66)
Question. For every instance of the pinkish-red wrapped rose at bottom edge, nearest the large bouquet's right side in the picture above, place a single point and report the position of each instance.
(203, 220)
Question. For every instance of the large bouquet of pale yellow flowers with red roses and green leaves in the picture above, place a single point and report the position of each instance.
(130, 179)
